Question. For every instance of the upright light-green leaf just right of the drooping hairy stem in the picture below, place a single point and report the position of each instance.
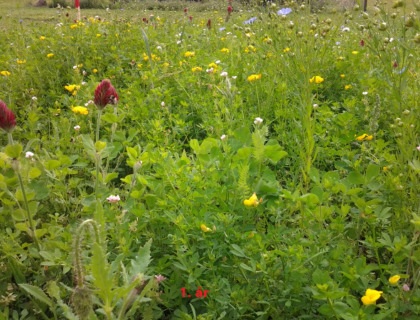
(101, 274)
